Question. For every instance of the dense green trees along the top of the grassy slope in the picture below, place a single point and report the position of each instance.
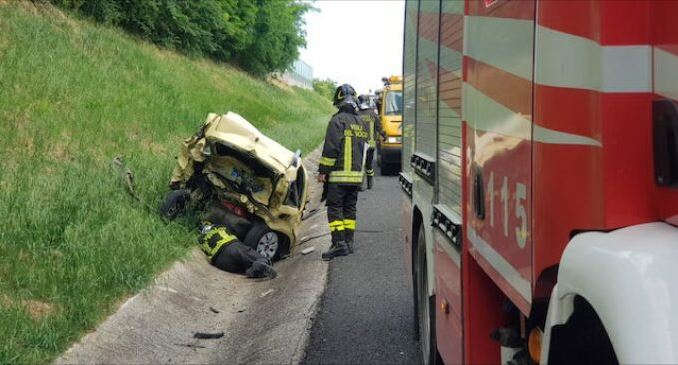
(261, 36)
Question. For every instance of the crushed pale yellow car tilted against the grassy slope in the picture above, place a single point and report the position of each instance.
(236, 176)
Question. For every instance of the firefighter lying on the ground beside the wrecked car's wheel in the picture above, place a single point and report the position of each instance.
(226, 252)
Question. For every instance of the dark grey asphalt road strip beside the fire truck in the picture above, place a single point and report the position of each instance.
(366, 311)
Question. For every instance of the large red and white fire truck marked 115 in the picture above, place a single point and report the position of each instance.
(540, 180)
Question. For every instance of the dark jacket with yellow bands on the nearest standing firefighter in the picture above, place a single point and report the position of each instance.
(342, 157)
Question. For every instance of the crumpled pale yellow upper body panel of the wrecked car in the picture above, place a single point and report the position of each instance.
(235, 132)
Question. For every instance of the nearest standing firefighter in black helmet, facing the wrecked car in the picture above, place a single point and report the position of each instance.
(341, 168)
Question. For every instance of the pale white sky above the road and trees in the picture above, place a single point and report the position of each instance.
(355, 41)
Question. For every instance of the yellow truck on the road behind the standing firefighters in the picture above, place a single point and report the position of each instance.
(390, 105)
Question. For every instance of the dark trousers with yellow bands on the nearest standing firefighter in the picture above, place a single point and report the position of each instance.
(341, 211)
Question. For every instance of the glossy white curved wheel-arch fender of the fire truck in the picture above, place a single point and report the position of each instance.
(630, 277)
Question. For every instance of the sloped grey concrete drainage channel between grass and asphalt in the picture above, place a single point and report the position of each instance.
(262, 321)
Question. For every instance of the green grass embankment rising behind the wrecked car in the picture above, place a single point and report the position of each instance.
(72, 96)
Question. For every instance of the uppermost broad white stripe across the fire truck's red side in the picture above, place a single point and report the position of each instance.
(563, 60)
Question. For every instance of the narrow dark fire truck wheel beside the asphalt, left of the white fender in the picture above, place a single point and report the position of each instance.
(425, 305)
